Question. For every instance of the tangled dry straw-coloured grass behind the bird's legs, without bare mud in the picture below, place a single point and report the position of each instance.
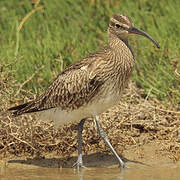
(134, 122)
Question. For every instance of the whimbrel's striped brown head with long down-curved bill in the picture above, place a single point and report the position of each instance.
(122, 26)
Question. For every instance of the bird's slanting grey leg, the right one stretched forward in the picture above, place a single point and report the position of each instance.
(103, 135)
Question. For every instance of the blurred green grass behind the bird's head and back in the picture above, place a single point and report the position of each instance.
(68, 30)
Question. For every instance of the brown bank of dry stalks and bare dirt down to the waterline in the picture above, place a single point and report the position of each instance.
(132, 126)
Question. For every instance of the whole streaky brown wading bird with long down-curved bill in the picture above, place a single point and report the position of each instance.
(90, 86)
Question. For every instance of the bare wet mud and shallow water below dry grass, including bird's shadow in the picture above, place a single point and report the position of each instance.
(145, 163)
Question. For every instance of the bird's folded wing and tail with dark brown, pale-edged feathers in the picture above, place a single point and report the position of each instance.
(74, 87)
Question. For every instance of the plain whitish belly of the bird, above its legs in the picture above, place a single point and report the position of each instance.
(61, 117)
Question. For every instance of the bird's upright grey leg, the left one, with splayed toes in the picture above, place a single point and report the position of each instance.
(79, 162)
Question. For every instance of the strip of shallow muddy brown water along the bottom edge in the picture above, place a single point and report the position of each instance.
(168, 172)
